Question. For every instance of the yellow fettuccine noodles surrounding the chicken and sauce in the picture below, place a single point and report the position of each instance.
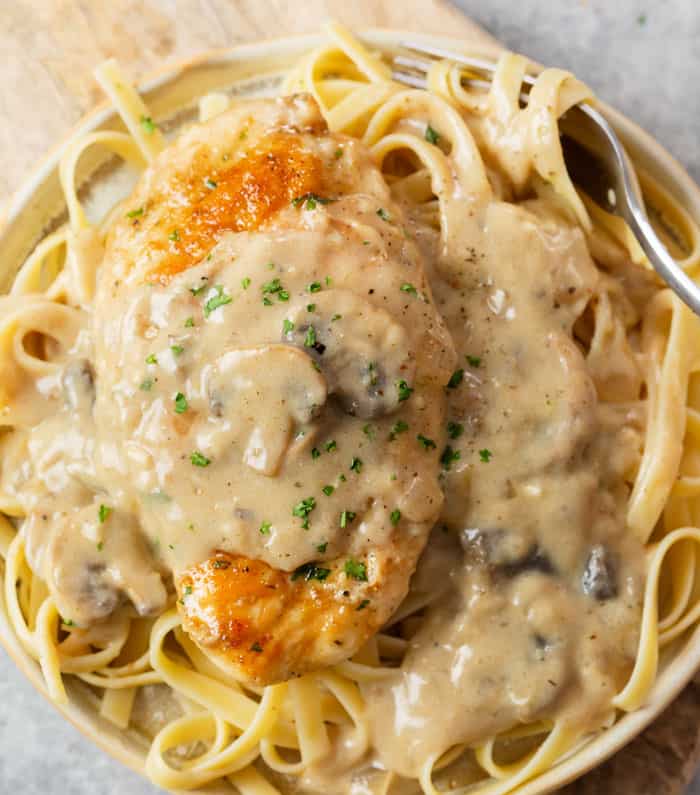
(432, 146)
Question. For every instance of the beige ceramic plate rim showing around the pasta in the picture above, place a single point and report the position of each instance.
(253, 70)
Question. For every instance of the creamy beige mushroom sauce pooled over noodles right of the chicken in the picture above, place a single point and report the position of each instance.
(540, 598)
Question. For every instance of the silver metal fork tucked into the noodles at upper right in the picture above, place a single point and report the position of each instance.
(595, 159)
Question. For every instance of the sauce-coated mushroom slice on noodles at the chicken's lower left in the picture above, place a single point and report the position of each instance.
(91, 566)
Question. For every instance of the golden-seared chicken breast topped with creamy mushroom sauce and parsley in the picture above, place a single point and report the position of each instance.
(270, 386)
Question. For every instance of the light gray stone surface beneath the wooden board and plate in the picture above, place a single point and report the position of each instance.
(642, 57)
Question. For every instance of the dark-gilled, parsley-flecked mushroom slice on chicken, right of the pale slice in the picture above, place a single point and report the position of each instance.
(363, 352)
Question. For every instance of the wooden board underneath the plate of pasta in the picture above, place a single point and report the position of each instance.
(49, 50)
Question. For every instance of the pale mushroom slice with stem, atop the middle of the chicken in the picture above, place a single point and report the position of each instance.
(264, 392)
